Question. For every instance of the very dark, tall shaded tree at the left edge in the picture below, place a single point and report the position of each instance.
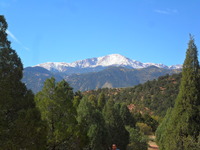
(20, 122)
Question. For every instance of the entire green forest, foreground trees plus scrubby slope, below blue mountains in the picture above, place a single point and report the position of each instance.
(57, 118)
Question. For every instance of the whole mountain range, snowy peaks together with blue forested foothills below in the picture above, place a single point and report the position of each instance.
(109, 71)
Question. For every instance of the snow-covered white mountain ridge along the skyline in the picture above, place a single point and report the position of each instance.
(102, 62)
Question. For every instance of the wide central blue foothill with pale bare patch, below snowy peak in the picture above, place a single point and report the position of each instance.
(114, 77)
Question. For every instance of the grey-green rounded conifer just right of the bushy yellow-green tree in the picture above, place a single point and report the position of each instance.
(93, 124)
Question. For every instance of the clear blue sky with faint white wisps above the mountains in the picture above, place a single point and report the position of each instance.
(154, 31)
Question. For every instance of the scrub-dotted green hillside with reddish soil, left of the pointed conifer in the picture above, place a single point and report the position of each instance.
(156, 95)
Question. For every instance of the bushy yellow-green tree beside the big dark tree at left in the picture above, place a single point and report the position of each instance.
(56, 107)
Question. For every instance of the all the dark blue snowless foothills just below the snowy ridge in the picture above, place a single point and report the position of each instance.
(112, 77)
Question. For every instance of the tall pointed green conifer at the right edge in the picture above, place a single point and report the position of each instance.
(183, 128)
